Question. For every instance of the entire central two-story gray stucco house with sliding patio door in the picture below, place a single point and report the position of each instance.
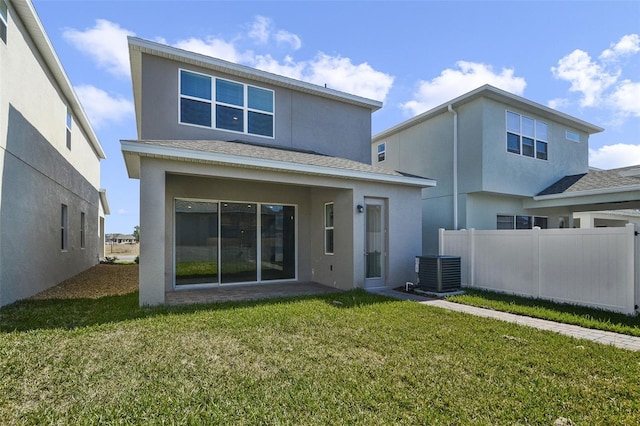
(251, 177)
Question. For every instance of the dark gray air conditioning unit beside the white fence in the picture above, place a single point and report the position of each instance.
(438, 273)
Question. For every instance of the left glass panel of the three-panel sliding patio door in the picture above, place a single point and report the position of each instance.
(196, 242)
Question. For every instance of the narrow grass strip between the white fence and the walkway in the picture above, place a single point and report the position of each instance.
(566, 313)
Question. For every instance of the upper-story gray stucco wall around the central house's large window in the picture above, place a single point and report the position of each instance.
(302, 121)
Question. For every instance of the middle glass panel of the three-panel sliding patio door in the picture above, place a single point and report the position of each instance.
(238, 245)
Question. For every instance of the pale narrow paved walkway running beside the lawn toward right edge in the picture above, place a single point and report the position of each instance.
(605, 337)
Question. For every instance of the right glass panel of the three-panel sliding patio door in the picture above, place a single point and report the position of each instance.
(278, 242)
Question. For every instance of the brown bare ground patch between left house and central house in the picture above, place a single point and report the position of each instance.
(99, 281)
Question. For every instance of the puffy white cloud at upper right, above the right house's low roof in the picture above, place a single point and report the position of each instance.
(599, 83)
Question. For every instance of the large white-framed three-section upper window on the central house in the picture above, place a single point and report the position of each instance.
(224, 104)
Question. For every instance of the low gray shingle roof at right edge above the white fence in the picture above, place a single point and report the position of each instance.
(595, 180)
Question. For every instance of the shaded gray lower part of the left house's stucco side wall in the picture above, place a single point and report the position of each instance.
(36, 181)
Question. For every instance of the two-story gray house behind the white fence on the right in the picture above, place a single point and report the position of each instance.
(501, 162)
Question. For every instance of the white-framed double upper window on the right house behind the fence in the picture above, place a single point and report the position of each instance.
(526, 136)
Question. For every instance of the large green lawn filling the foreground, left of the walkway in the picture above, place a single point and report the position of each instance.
(344, 358)
